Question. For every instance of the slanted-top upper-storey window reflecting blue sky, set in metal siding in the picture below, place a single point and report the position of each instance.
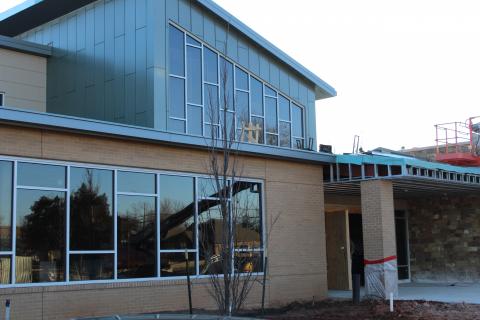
(208, 92)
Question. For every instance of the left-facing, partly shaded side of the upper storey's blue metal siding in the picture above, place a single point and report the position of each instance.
(100, 51)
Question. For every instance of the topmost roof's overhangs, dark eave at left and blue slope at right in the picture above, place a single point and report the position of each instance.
(32, 13)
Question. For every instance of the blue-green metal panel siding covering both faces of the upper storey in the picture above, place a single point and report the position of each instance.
(119, 47)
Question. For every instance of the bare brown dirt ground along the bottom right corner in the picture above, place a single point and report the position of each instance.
(340, 309)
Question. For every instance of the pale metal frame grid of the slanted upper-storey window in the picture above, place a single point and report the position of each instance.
(205, 122)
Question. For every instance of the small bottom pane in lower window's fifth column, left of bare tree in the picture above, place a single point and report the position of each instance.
(173, 264)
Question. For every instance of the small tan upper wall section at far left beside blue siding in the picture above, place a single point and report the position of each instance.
(23, 79)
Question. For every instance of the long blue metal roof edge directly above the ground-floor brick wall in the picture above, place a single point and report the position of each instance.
(73, 124)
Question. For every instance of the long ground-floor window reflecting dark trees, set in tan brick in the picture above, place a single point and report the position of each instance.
(68, 223)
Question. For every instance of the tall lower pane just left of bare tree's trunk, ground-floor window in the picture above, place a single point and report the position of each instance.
(210, 233)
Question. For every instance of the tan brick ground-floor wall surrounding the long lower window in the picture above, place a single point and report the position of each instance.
(293, 198)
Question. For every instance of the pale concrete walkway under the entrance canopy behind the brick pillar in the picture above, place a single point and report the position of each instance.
(441, 292)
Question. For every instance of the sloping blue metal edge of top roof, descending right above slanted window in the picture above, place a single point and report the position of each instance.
(329, 91)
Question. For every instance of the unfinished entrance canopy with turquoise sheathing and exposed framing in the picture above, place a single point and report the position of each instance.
(410, 176)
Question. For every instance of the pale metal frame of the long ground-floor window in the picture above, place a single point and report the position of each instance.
(68, 165)
